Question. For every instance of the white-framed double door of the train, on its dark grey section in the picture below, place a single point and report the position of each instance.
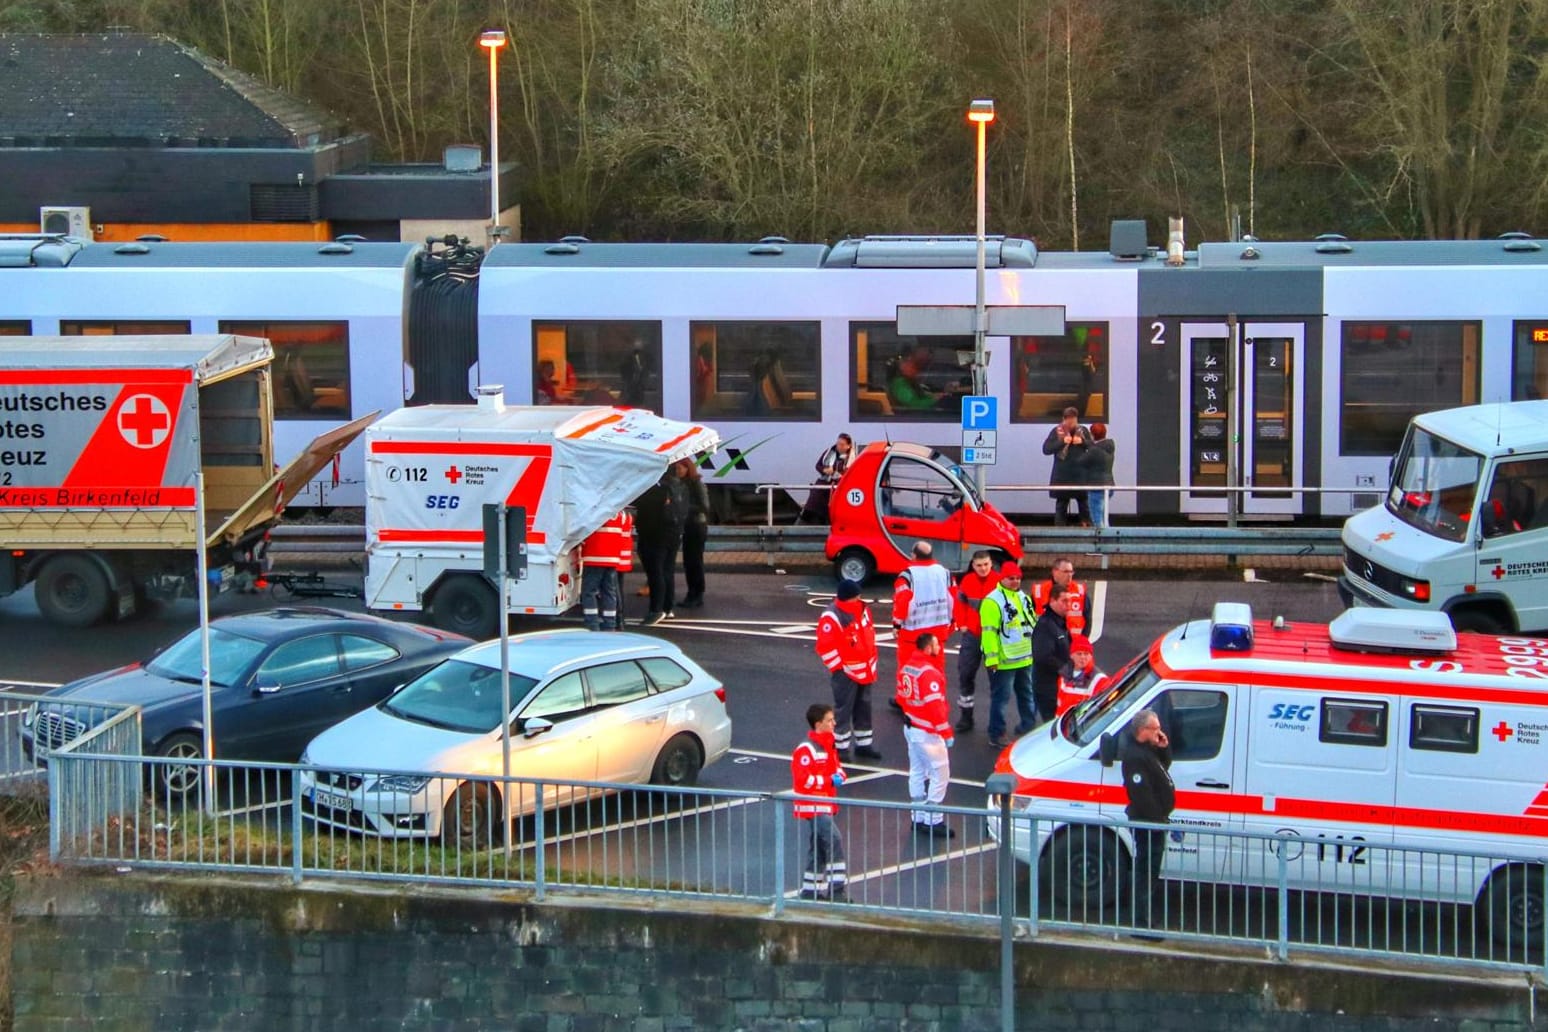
(1242, 400)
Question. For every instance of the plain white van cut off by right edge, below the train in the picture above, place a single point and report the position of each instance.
(1465, 524)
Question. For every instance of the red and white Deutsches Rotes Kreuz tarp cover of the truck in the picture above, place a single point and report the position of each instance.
(109, 422)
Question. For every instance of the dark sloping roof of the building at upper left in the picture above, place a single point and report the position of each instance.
(139, 91)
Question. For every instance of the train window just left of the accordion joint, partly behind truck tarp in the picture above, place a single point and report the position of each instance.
(312, 366)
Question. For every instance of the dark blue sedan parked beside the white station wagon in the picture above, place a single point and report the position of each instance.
(278, 680)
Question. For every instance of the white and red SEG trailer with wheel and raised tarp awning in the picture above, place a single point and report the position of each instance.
(431, 470)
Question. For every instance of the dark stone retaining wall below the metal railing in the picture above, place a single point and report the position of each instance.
(162, 954)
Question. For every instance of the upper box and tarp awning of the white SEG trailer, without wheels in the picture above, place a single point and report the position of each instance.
(431, 470)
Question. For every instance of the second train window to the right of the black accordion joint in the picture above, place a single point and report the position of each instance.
(756, 371)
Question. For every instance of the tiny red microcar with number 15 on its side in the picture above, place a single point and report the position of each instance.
(894, 496)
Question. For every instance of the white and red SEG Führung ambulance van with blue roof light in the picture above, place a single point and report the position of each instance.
(1354, 748)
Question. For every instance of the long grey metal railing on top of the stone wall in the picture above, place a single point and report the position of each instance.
(1290, 895)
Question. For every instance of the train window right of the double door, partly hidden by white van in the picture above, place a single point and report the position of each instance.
(1392, 372)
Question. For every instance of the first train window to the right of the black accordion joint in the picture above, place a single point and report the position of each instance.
(598, 363)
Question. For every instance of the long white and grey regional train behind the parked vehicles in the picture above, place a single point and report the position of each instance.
(1286, 371)
